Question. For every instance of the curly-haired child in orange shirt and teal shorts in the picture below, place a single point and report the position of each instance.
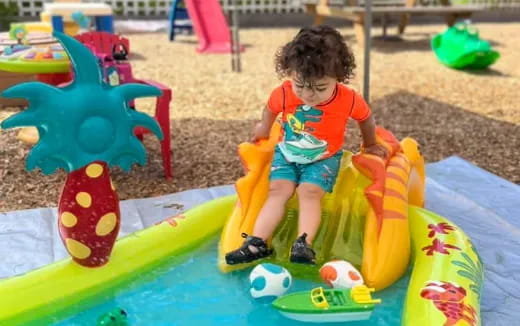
(315, 109)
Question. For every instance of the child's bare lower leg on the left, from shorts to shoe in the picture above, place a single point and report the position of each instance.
(280, 191)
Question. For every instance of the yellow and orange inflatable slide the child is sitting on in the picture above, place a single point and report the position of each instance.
(347, 215)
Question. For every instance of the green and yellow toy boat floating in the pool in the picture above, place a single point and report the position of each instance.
(328, 305)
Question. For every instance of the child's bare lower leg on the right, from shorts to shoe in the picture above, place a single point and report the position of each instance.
(309, 197)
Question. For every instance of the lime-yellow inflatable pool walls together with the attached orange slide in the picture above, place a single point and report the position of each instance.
(373, 219)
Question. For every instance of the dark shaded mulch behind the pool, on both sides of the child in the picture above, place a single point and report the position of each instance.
(205, 151)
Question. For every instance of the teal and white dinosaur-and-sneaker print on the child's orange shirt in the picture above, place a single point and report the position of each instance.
(299, 145)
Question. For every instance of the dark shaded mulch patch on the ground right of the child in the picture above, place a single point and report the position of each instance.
(444, 130)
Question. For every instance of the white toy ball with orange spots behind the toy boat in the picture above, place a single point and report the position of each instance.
(340, 274)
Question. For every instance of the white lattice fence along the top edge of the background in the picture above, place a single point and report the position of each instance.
(160, 8)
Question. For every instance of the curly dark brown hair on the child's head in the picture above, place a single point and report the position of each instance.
(316, 52)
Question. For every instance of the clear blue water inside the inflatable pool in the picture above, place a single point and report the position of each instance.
(194, 292)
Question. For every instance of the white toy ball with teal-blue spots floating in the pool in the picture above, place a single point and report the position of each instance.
(269, 281)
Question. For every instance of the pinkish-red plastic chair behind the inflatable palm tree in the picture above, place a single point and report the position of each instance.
(112, 51)
